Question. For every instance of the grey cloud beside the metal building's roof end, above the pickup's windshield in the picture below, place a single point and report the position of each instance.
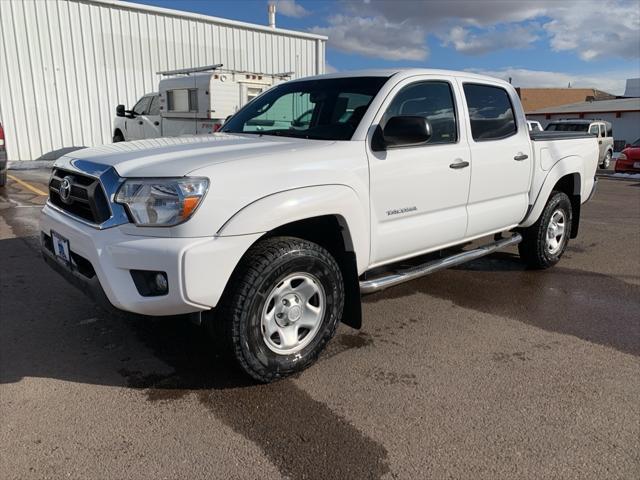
(375, 37)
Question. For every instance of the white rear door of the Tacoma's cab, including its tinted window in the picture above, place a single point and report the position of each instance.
(501, 158)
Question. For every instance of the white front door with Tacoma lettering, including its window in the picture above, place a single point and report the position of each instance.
(419, 193)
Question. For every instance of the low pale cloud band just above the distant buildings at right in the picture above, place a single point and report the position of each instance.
(611, 82)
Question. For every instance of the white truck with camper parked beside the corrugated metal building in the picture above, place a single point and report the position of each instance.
(191, 101)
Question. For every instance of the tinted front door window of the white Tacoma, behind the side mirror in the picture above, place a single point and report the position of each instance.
(431, 100)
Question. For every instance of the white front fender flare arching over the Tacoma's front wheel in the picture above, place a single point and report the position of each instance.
(281, 208)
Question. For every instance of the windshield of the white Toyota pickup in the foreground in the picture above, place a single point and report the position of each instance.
(329, 109)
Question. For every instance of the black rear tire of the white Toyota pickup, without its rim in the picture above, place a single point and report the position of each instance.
(534, 249)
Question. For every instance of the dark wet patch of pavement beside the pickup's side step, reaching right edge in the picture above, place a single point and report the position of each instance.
(591, 306)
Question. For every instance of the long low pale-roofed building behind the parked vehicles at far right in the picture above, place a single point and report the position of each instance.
(623, 113)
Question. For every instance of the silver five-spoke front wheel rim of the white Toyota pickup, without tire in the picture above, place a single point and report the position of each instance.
(293, 313)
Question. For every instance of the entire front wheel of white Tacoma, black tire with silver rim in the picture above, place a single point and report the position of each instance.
(282, 305)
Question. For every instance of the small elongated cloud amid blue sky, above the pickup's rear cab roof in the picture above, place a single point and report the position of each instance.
(464, 41)
